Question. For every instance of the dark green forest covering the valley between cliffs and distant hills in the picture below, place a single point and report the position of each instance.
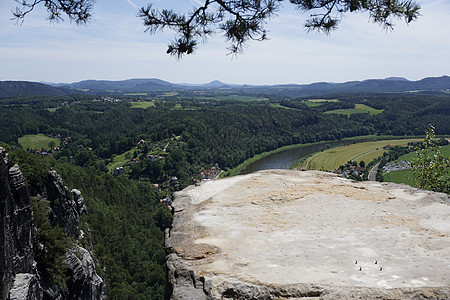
(179, 135)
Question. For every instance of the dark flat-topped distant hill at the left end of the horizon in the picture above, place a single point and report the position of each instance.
(10, 89)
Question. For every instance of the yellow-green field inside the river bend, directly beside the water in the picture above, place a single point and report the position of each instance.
(335, 157)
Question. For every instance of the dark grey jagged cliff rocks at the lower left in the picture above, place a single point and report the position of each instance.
(19, 278)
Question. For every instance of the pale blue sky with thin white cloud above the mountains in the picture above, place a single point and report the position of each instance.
(114, 46)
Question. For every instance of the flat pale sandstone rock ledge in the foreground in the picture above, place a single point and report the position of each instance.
(311, 233)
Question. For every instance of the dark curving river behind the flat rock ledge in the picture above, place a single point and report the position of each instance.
(284, 159)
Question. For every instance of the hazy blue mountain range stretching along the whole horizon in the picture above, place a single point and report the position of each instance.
(387, 85)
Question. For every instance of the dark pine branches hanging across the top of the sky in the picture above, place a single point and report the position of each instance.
(239, 20)
